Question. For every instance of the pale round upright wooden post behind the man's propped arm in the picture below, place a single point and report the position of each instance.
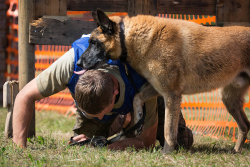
(26, 51)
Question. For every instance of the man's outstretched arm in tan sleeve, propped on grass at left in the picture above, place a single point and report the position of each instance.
(50, 81)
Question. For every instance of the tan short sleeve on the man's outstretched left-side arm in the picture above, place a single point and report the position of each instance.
(56, 78)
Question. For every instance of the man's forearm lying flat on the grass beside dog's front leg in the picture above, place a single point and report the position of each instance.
(145, 140)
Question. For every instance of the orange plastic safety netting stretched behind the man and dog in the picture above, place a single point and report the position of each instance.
(204, 113)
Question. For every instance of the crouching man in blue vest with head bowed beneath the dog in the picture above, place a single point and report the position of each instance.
(60, 75)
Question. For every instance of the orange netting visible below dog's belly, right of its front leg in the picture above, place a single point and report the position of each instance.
(206, 114)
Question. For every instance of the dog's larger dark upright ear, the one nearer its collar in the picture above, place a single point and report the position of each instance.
(105, 23)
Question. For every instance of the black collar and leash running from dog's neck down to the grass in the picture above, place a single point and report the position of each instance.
(101, 141)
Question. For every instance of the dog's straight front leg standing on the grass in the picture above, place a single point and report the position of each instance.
(172, 111)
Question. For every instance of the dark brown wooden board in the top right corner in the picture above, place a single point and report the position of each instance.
(233, 12)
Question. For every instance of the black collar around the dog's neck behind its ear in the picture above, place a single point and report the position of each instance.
(123, 56)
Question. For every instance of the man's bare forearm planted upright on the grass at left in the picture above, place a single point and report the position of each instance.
(22, 114)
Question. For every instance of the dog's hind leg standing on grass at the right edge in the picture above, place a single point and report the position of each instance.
(233, 98)
